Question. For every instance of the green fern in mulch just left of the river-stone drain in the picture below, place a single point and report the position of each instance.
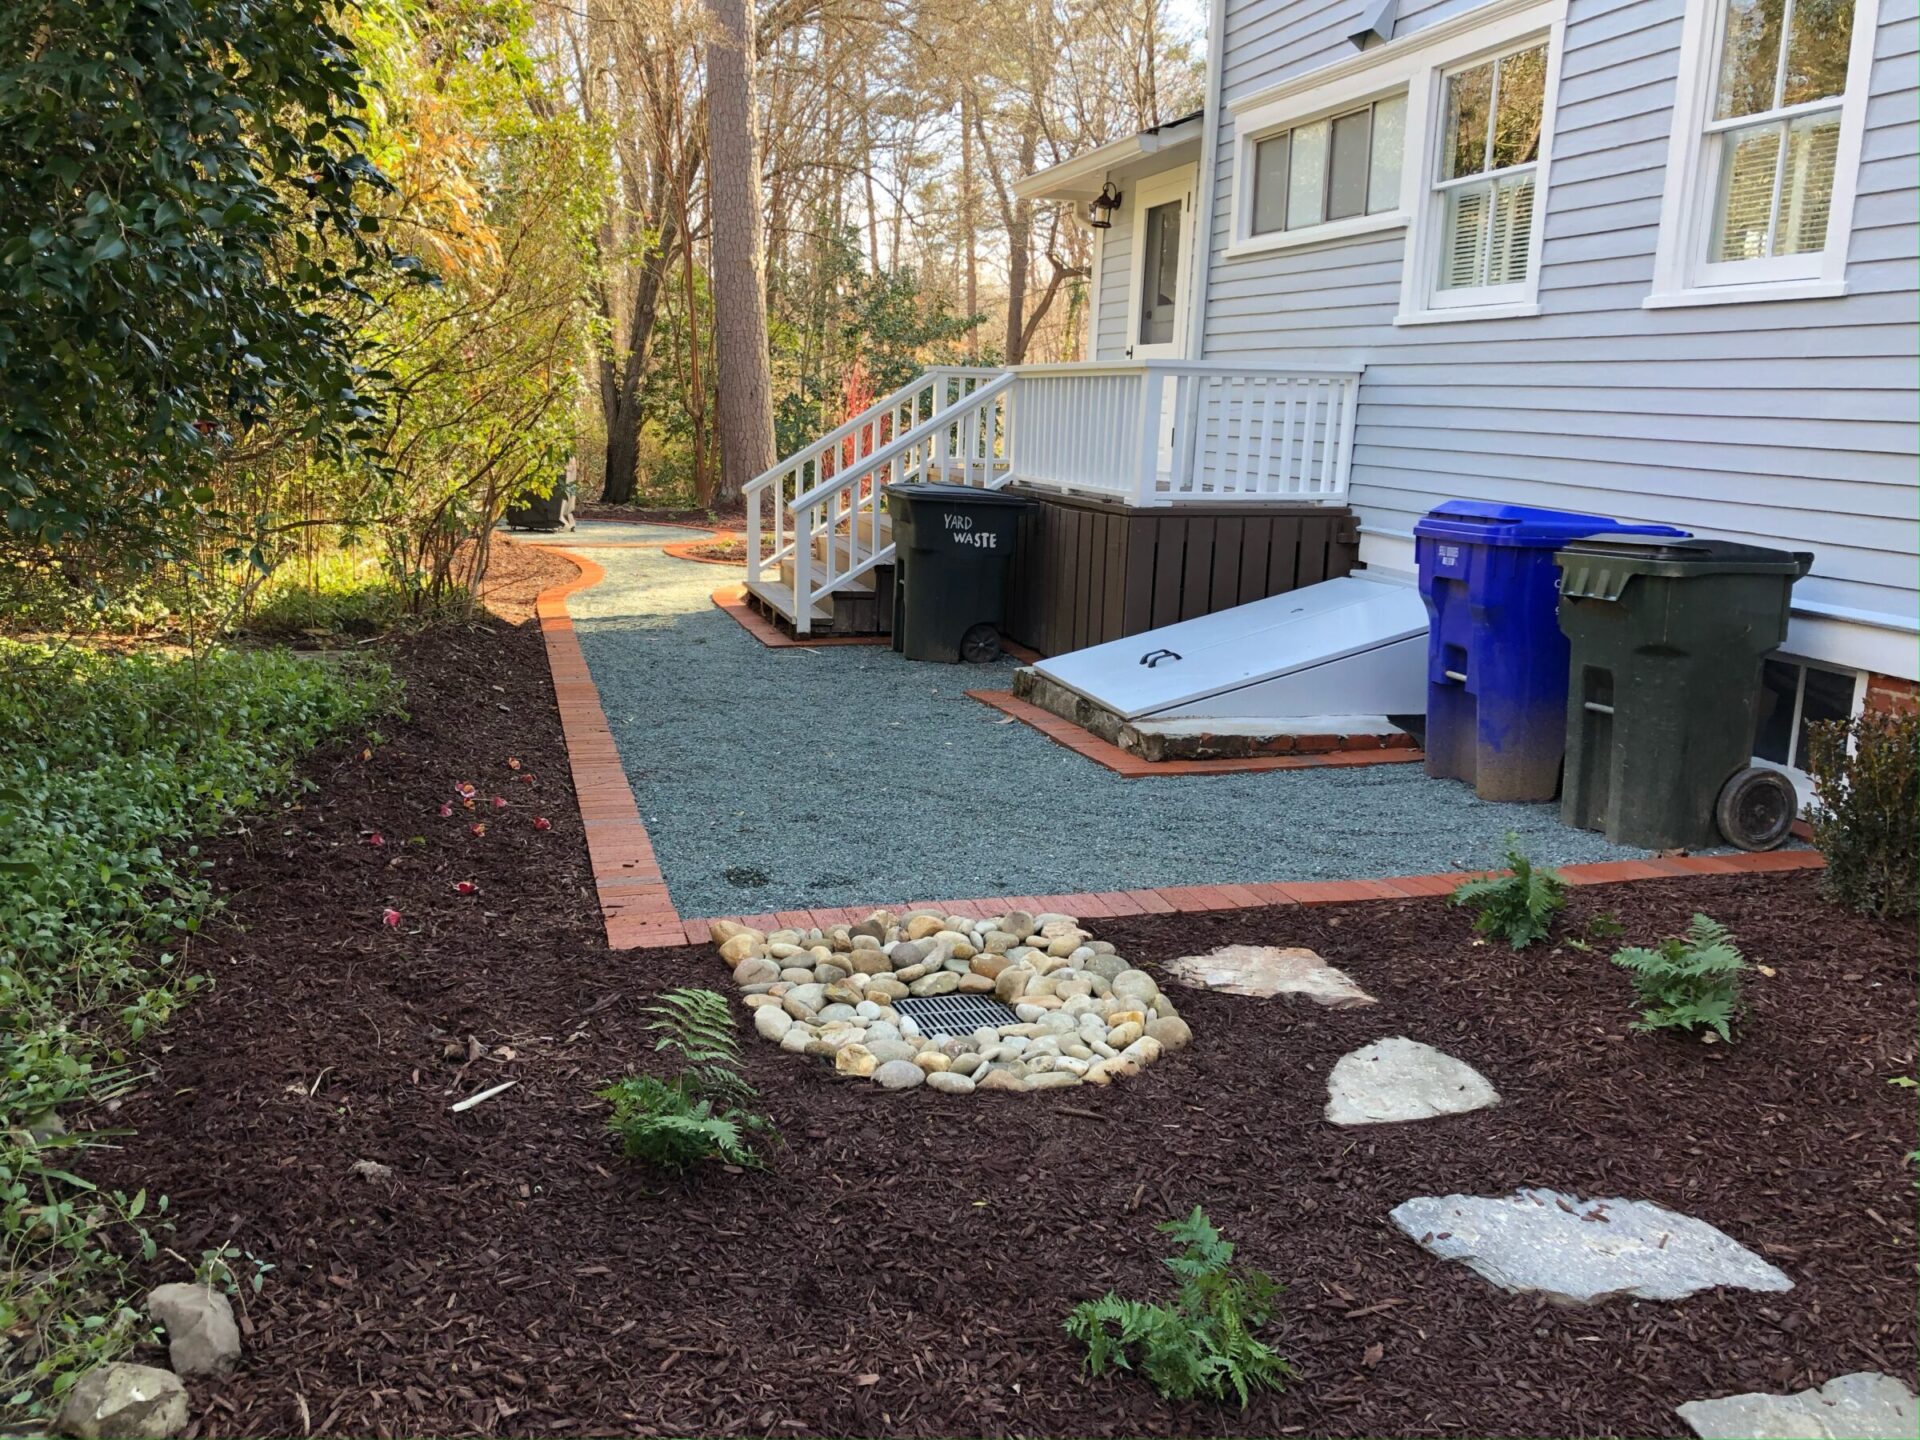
(700, 1115)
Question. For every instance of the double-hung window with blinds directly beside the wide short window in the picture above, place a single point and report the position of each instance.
(1487, 191)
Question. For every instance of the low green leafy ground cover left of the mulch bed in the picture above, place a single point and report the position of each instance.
(110, 767)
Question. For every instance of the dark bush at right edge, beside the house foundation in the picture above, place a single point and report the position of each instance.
(1865, 815)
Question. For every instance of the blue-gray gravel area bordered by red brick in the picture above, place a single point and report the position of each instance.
(786, 779)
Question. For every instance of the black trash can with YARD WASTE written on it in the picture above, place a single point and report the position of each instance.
(953, 556)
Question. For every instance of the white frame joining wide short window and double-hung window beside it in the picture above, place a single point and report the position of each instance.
(1410, 64)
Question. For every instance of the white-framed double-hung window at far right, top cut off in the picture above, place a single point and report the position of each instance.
(1767, 139)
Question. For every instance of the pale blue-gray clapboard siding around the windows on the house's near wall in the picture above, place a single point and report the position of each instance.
(1781, 423)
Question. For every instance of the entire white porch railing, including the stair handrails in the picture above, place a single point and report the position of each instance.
(1155, 433)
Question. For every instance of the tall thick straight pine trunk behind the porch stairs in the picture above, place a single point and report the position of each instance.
(746, 387)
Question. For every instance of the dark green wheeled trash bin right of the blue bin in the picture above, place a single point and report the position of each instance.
(1664, 688)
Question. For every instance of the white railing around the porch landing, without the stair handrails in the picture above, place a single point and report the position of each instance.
(1163, 433)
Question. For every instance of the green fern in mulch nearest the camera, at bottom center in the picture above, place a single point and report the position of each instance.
(1203, 1345)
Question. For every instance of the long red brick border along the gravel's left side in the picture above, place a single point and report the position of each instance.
(627, 875)
